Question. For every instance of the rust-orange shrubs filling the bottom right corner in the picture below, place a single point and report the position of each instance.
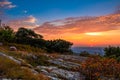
(97, 68)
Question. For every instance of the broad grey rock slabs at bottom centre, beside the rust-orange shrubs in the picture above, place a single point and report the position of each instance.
(64, 68)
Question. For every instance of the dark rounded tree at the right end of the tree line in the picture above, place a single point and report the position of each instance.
(58, 45)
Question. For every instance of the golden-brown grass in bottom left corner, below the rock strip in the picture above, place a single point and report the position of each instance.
(10, 69)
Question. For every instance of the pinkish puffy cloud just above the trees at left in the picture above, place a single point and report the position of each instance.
(27, 22)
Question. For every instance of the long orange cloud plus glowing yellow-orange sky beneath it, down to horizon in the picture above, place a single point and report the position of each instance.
(74, 29)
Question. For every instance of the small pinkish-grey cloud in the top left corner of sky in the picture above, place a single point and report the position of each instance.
(6, 4)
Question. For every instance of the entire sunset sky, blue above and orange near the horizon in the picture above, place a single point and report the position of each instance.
(83, 22)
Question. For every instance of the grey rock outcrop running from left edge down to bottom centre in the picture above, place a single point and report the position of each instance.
(62, 70)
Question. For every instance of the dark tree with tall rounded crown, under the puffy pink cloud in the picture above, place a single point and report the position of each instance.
(29, 37)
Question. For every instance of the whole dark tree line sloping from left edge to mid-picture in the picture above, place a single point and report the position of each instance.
(29, 37)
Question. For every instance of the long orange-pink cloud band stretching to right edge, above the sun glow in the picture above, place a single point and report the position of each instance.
(79, 25)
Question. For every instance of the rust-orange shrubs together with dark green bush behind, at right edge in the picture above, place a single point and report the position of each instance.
(106, 67)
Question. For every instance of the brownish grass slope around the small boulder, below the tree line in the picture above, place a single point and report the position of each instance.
(23, 52)
